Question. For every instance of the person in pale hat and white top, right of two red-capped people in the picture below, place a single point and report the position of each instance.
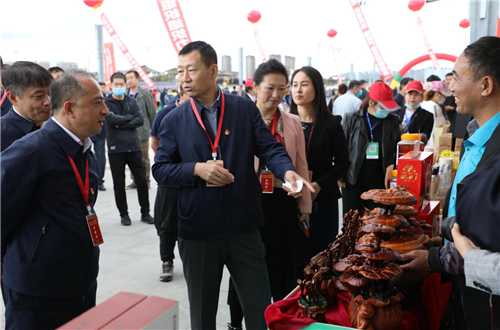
(433, 100)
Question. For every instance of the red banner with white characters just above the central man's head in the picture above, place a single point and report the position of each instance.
(173, 18)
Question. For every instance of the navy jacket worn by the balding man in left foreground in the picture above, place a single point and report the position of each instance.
(46, 246)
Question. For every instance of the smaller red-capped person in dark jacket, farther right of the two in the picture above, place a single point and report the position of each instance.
(413, 119)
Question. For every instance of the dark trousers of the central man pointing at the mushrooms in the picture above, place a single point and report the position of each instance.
(203, 263)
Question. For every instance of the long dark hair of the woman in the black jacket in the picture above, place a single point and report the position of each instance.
(320, 108)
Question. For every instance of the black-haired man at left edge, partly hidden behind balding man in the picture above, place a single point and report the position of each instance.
(27, 85)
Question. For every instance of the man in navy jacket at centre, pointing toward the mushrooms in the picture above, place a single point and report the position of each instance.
(212, 140)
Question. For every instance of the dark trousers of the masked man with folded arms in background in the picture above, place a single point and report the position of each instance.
(117, 162)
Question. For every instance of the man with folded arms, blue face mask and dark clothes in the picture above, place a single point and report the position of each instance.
(124, 148)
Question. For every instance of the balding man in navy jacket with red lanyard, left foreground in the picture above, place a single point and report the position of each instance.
(49, 258)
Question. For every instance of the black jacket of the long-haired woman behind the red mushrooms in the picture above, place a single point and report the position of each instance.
(328, 143)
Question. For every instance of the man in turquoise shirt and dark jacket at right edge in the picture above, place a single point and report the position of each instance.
(476, 87)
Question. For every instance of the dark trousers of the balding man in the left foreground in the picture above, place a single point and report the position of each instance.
(24, 311)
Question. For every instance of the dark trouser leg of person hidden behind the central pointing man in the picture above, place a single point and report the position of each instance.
(166, 221)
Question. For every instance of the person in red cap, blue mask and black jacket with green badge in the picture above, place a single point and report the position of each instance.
(372, 134)
